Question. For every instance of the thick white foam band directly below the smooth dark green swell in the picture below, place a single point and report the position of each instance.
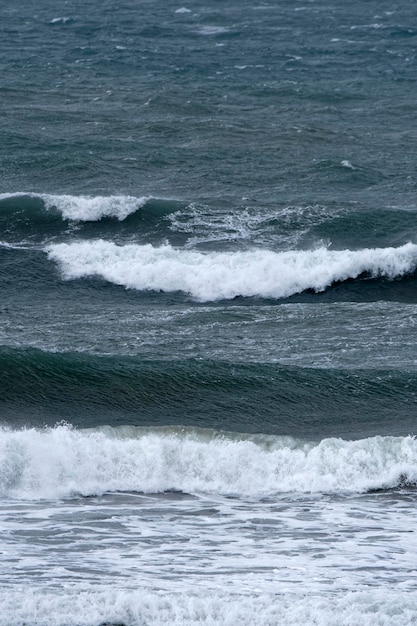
(62, 461)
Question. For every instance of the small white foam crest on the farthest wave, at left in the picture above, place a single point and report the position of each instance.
(87, 208)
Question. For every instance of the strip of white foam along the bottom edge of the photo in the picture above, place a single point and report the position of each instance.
(137, 608)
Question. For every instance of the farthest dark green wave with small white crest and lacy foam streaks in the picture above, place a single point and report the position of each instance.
(28, 216)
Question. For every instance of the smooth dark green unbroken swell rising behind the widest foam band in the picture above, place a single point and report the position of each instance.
(38, 388)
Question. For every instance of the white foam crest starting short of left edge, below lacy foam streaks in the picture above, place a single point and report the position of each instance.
(218, 275)
